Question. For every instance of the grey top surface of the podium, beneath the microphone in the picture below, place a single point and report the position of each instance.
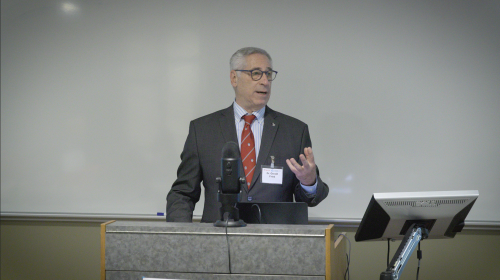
(210, 229)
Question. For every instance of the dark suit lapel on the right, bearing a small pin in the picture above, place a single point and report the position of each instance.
(271, 125)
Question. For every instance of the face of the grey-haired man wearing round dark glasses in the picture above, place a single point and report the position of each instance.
(252, 95)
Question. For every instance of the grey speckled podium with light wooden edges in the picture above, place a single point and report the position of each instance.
(133, 250)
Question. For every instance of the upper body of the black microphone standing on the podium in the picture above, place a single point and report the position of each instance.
(230, 168)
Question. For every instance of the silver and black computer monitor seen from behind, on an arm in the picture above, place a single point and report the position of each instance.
(390, 215)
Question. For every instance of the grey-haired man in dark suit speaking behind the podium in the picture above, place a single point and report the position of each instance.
(279, 140)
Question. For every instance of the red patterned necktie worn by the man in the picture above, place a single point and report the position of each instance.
(248, 149)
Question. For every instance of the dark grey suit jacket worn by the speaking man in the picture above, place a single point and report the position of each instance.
(283, 137)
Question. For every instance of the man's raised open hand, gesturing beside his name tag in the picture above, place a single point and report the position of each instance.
(306, 173)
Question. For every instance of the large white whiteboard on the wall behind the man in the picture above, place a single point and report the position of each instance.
(96, 96)
